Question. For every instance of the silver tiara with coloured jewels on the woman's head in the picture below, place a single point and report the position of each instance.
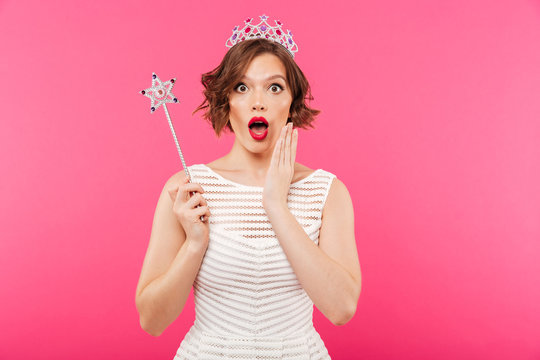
(265, 31)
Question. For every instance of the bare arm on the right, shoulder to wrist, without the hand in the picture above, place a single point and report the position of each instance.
(330, 273)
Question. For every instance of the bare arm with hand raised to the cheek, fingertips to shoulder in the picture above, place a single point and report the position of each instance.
(330, 272)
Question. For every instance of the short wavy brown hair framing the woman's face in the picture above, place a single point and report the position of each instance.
(219, 82)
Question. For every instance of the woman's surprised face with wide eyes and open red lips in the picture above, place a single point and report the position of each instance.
(262, 92)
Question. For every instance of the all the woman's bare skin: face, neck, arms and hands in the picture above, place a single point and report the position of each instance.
(329, 272)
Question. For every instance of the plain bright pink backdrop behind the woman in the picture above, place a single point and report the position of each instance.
(430, 116)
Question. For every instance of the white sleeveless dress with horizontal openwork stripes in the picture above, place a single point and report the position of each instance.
(249, 303)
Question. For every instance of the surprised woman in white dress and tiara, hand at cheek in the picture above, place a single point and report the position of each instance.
(262, 238)
